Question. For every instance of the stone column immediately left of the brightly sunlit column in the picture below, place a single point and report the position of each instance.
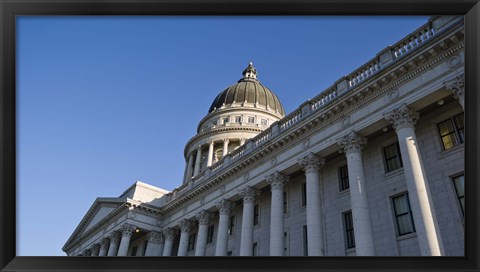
(352, 144)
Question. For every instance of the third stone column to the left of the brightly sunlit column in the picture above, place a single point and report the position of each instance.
(277, 181)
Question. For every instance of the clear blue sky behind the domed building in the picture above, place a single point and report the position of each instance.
(105, 101)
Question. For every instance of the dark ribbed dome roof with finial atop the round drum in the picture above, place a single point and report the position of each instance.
(248, 91)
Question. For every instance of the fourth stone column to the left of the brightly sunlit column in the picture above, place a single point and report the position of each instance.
(246, 239)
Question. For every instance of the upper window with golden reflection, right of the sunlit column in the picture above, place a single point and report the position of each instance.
(452, 131)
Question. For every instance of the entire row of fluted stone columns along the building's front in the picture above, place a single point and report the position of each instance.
(403, 119)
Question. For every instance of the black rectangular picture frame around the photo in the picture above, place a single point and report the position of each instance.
(11, 8)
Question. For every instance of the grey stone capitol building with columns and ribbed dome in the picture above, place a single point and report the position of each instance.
(371, 166)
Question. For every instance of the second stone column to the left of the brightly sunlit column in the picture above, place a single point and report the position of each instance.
(311, 165)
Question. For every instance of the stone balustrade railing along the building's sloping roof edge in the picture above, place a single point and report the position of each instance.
(385, 58)
